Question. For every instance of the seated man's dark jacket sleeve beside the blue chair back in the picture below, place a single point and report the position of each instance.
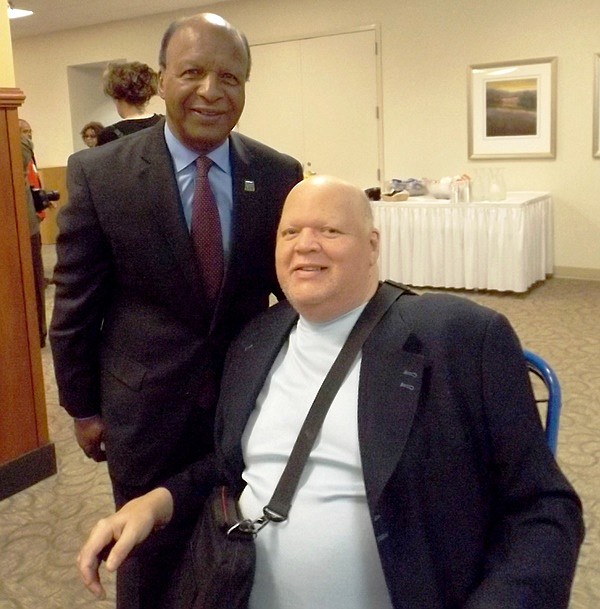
(539, 529)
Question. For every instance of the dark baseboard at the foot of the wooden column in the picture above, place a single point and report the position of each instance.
(27, 470)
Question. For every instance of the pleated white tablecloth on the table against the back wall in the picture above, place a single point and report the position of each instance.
(505, 245)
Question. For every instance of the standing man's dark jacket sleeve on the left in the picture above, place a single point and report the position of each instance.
(82, 278)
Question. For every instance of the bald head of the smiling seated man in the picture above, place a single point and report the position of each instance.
(327, 248)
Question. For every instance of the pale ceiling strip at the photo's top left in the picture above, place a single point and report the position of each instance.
(53, 15)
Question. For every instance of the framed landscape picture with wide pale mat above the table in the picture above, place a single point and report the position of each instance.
(512, 109)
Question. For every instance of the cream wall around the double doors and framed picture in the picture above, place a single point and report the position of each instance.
(427, 46)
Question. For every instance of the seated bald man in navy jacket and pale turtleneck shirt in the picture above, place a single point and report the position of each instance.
(430, 485)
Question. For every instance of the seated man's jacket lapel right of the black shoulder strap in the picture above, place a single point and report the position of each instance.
(388, 398)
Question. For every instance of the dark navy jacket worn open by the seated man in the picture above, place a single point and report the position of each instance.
(468, 506)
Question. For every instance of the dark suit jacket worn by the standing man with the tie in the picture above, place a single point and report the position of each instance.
(131, 338)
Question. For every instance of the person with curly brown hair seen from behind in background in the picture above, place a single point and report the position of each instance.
(131, 85)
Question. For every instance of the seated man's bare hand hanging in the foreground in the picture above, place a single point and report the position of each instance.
(128, 527)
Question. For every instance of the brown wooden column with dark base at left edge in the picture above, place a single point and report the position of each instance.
(26, 453)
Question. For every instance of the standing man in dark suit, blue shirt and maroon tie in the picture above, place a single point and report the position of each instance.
(138, 345)
